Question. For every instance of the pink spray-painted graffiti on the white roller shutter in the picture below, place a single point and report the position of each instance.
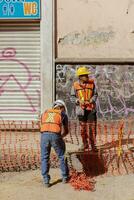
(16, 79)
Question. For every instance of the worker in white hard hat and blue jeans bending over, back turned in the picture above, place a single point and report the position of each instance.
(54, 127)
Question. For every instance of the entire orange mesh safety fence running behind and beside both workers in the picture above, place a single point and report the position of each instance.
(20, 147)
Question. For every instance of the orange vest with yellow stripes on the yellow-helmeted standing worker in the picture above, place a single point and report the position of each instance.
(85, 92)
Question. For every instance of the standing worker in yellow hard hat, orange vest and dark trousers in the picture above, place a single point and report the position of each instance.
(84, 94)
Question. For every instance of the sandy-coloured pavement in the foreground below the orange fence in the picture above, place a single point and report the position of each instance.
(28, 186)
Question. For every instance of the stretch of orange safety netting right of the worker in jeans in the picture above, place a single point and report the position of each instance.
(115, 143)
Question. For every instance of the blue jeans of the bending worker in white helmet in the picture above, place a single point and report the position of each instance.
(49, 140)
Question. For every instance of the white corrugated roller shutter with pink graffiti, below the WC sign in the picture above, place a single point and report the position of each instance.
(19, 71)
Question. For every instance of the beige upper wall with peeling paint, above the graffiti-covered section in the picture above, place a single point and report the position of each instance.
(95, 29)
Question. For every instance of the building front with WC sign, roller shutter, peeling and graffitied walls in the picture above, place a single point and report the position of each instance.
(41, 47)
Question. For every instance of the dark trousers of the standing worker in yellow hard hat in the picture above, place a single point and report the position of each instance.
(88, 123)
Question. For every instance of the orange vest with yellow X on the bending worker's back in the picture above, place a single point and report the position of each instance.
(51, 121)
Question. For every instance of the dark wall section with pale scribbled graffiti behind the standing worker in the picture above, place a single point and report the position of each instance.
(114, 84)
